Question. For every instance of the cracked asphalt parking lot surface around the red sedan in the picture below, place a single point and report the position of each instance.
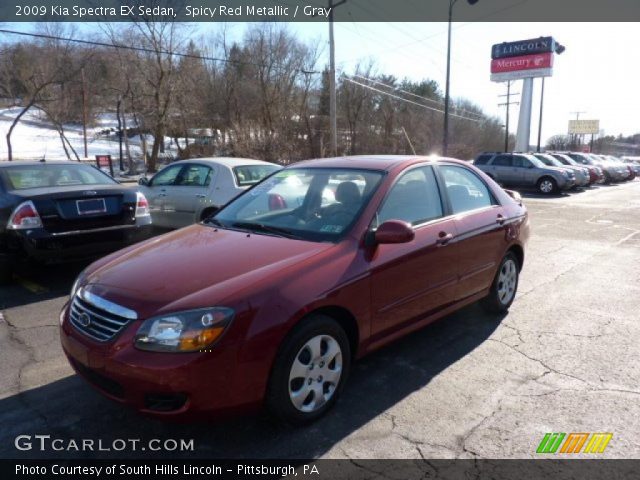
(565, 359)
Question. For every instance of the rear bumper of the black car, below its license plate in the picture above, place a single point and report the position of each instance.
(42, 246)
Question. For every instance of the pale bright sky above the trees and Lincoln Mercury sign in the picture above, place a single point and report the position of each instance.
(597, 75)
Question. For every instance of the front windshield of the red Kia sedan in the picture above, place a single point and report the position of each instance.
(316, 204)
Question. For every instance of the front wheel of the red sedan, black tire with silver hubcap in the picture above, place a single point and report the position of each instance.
(317, 346)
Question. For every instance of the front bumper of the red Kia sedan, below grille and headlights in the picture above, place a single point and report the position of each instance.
(168, 385)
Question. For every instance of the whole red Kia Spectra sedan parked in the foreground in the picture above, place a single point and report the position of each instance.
(267, 302)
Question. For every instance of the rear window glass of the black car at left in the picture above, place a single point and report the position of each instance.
(21, 177)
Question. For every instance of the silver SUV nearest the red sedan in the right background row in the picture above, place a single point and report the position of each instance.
(523, 170)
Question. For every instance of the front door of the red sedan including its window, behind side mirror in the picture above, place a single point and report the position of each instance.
(413, 279)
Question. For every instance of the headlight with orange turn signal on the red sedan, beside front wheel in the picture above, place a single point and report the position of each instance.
(187, 331)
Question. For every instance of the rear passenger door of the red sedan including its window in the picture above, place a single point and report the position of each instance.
(479, 220)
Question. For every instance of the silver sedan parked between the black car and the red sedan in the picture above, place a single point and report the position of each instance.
(189, 191)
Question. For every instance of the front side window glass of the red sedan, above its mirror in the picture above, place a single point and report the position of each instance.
(414, 198)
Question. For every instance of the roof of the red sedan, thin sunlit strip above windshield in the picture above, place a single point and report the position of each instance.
(371, 162)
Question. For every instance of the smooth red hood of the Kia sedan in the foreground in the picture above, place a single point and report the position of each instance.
(194, 267)
